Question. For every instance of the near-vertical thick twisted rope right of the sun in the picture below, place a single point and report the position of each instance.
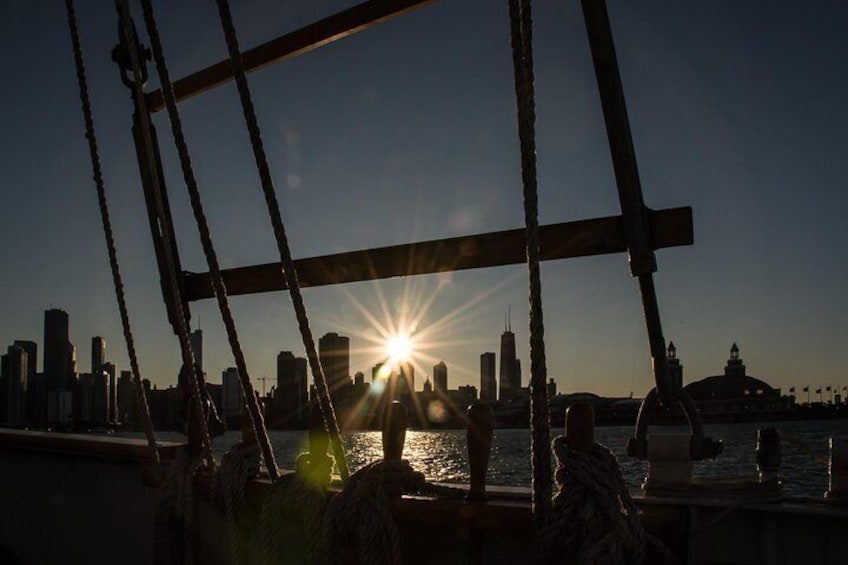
(521, 27)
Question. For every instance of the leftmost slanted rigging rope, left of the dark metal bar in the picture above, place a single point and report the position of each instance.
(140, 396)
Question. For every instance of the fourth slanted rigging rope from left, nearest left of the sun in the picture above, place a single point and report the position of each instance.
(286, 259)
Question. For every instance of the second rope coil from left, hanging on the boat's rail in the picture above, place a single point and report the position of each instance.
(239, 464)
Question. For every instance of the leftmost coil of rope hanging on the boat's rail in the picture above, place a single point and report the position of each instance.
(176, 540)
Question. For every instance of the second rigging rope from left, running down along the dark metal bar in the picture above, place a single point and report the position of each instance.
(129, 36)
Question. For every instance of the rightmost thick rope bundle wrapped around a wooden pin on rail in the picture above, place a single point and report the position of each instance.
(593, 519)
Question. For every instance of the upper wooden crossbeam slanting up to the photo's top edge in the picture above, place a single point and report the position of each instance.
(330, 29)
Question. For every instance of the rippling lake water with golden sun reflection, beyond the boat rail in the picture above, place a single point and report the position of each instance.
(441, 455)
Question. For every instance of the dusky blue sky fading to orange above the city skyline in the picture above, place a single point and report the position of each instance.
(407, 132)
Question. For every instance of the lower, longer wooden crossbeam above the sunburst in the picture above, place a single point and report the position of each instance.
(599, 236)
